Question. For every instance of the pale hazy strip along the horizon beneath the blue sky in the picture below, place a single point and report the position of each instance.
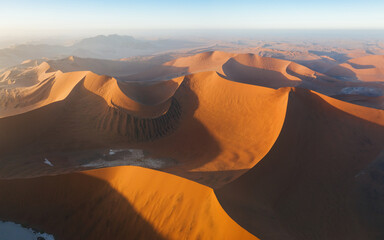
(70, 37)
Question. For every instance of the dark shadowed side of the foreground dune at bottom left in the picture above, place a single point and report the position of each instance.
(76, 207)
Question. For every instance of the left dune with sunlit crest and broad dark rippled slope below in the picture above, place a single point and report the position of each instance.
(76, 116)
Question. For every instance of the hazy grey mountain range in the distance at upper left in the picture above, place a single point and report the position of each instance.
(103, 47)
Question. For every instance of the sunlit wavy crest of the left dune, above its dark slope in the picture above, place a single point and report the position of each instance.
(57, 86)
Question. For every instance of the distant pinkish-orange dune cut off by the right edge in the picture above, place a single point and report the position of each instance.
(366, 69)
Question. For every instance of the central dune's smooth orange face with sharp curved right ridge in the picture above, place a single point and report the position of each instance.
(217, 118)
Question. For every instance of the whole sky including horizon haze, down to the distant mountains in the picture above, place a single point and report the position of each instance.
(44, 21)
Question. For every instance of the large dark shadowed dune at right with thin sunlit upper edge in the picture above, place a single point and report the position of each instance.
(307, 185)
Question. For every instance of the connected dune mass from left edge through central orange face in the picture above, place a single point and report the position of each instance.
(102, 116)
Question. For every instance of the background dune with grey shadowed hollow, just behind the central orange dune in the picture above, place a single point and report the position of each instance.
(247, 68)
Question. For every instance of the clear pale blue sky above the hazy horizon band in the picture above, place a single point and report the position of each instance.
(27, 15)
